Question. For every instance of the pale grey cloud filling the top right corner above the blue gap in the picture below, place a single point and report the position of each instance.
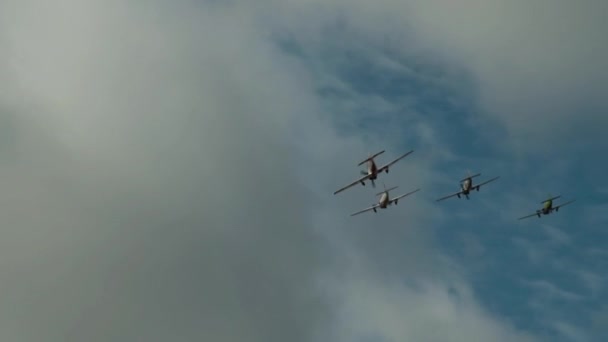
(538, 67)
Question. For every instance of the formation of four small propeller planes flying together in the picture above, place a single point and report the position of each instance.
(466, 187)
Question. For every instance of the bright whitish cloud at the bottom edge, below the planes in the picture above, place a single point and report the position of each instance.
(429, 308)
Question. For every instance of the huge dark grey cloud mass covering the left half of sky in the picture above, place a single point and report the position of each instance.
(148, 192)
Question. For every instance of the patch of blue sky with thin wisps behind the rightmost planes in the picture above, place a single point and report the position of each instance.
(545, 276)
